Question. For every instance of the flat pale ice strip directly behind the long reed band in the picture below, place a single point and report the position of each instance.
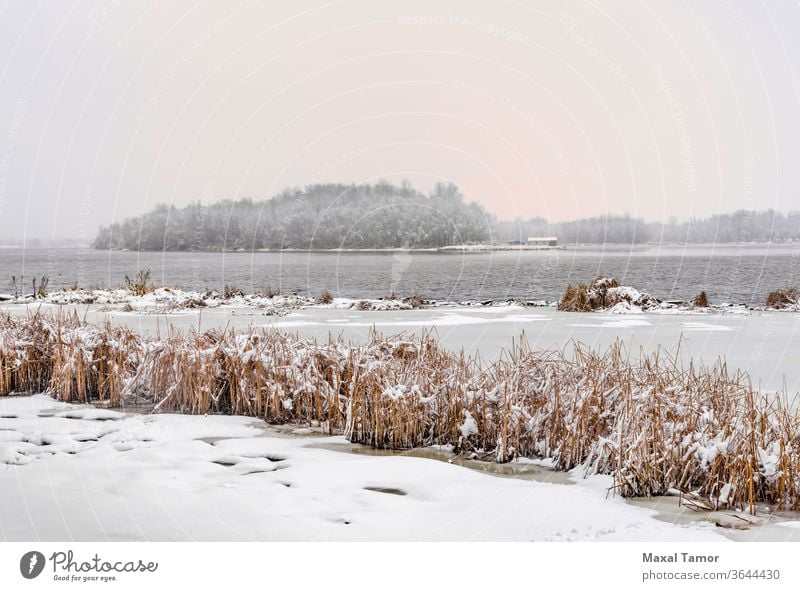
(764, 344)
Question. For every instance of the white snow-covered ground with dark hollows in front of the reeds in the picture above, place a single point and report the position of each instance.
(71, 472)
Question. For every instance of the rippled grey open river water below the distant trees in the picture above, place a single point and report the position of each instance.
(729, 273)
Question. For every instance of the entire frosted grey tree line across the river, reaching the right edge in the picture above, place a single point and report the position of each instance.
(383, 215)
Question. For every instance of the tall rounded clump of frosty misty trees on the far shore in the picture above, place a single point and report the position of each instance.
(381, 215)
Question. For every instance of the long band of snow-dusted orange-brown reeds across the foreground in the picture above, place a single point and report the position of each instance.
(653, 423)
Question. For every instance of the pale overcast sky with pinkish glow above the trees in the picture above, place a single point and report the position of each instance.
(555, 109)
